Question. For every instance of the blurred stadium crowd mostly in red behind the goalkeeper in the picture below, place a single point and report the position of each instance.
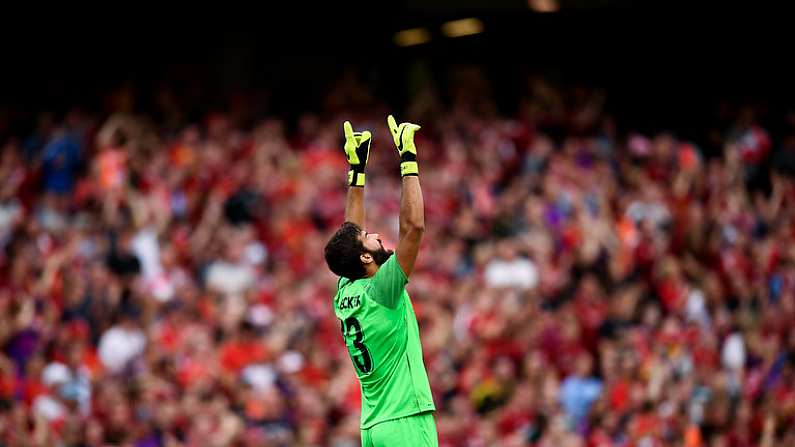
(579, 284)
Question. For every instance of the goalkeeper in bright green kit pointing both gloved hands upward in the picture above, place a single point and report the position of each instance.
(376, 316)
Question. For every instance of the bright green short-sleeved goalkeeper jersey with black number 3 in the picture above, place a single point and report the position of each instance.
(380, 330)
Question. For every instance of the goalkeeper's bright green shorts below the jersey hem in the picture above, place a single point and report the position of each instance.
(417, 430)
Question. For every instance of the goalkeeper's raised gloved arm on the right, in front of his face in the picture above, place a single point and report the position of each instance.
(412, 206)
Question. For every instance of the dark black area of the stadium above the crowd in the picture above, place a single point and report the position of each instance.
(664, 64)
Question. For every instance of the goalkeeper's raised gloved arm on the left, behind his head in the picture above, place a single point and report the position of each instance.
(357, 150)
